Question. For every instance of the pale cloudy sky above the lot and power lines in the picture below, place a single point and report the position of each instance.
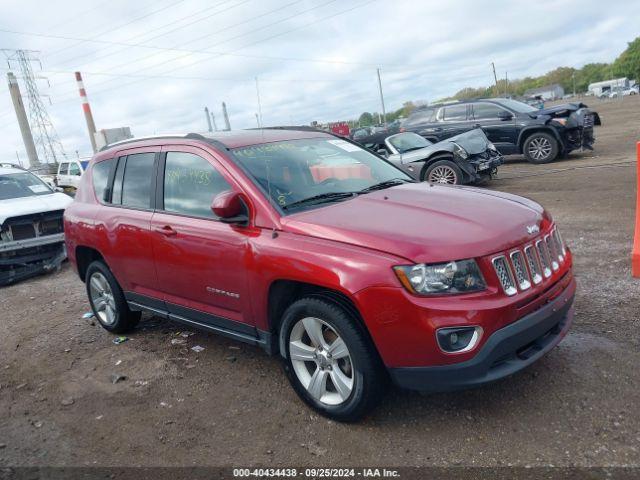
(153, 65)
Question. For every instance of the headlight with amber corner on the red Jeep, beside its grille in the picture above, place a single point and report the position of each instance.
(461, 276)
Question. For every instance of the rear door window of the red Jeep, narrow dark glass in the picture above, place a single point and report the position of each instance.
(138, 180)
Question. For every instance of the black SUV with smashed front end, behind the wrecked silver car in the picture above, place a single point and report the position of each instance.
(512, 126)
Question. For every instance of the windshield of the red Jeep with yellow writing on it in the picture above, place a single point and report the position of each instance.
(294, 171)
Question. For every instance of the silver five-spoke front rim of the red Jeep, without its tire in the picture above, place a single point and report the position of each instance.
(321, 361)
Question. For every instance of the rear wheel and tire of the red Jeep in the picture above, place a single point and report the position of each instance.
(107, 300)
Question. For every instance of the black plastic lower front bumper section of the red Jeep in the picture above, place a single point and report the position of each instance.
(507, 351)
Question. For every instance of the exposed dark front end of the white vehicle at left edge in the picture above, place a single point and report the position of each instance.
(31, 245)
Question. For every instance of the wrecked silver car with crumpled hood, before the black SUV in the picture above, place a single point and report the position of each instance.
(467, 158)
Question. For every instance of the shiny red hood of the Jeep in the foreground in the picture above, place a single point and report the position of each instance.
(423, 222)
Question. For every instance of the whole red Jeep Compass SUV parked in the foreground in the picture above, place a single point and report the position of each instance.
(324, 253)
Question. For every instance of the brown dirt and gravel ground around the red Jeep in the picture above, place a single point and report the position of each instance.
(231, 404)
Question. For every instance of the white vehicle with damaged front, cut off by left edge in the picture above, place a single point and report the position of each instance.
(31, 229)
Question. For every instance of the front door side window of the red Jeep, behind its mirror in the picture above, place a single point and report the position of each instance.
(190, 184)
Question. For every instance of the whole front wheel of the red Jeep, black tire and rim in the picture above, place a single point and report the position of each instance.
(329, 360)
